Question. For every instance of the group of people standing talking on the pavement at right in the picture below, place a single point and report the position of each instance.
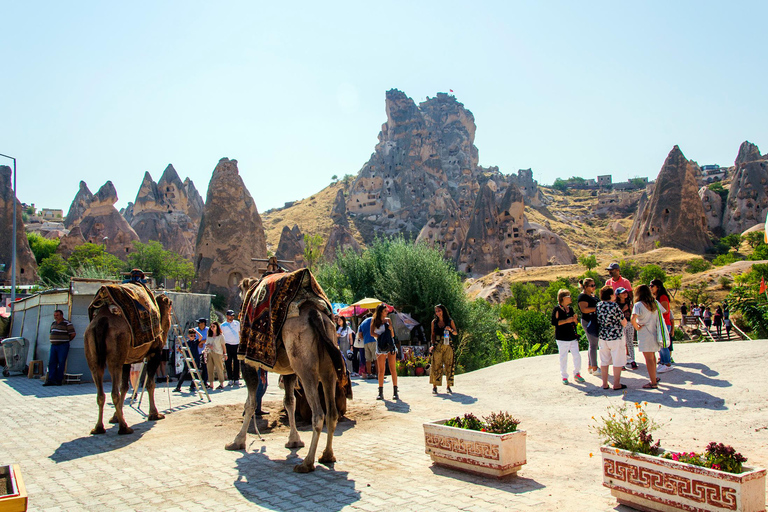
(611, 319)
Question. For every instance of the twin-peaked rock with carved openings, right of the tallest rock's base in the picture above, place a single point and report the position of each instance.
(499, 236)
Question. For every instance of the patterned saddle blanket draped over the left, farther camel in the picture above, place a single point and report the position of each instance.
(137, 304)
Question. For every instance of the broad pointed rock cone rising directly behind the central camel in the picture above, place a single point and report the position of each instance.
(230, 235)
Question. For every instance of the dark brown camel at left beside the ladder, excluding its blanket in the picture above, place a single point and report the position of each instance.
(107, 343)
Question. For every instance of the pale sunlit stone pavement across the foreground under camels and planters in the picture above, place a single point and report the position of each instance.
(718, 392)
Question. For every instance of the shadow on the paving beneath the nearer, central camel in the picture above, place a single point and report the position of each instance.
(272, 484)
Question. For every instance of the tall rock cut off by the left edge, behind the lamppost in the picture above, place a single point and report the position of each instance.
(26, 266)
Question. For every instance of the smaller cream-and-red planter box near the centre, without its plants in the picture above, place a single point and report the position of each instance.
(473, 451)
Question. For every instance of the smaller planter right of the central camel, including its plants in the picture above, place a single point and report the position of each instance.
(492, 447)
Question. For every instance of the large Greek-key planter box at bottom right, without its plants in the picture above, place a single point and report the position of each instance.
(646, 482)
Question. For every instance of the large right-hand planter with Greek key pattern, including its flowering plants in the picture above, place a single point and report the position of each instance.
(644, 476)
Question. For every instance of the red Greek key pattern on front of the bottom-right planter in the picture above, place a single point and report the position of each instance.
(690, 489)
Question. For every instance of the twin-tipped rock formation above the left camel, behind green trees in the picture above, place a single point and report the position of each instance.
(100, 222)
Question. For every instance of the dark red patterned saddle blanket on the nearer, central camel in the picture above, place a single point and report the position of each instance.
(266, 306)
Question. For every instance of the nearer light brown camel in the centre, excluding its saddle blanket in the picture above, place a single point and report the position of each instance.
(308, 351)
